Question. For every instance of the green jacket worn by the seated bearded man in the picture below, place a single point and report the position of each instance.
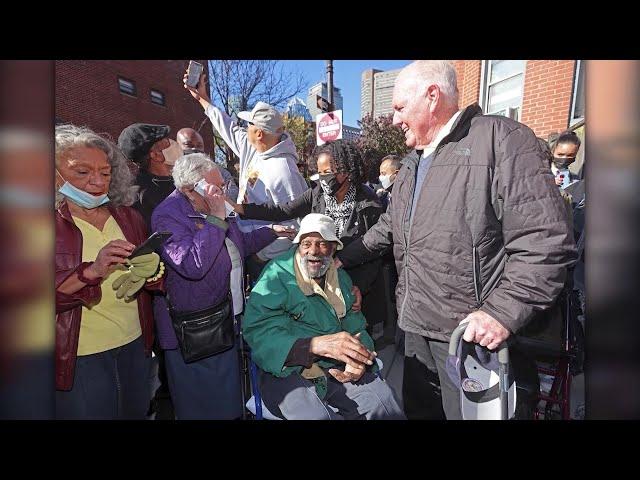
(278, 313)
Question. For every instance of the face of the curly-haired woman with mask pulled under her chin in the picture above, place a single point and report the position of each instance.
(85, 168)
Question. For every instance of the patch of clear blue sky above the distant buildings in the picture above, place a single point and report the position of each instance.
(346, 76)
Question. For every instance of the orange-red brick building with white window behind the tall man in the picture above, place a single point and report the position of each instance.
(545, 95)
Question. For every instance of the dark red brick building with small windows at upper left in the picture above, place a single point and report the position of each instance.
(108, 95)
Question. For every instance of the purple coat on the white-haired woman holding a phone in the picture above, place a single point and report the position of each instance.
(198, 265)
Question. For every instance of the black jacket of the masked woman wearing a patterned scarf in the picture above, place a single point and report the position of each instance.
(365, 214)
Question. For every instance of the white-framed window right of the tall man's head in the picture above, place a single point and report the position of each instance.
(503, 86)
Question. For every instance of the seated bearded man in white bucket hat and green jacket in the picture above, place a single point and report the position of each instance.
(315, 358)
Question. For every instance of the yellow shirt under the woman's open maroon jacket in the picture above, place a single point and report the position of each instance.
(112, 322)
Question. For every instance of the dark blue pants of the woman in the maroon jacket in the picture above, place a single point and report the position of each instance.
(108, 385)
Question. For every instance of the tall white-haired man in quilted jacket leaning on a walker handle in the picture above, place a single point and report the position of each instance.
(477, 228)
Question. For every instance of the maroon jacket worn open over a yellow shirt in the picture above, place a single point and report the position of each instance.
(69, 307)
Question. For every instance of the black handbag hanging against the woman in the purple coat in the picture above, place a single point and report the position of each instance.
(202, 333)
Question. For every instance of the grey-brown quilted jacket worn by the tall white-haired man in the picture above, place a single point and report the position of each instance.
(490, 230)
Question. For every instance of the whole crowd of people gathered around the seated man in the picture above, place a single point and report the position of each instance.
(481, 223)
